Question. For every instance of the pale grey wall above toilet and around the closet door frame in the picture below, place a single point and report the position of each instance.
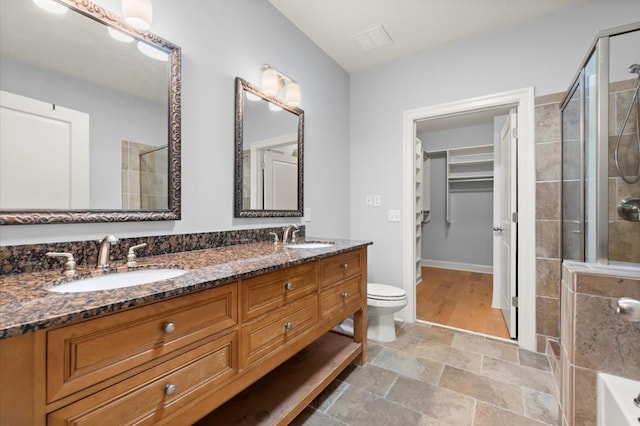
(544, 53)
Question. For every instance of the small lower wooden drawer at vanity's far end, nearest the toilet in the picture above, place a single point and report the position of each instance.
(341, 300)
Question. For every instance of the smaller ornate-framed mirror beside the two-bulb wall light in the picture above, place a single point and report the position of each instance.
(269, 153)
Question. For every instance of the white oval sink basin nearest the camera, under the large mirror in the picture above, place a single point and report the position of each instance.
(117, 280)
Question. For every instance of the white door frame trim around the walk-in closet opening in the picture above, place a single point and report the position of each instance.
(523, 99)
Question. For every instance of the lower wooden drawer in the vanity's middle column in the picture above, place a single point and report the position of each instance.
(273, 331)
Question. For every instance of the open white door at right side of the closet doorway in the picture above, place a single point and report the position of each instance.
(506, 230)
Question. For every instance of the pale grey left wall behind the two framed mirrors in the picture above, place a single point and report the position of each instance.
(221, 40)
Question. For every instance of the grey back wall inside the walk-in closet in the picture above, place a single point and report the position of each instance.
(466, 238)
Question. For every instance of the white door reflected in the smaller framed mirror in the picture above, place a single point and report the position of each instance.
(280, 181)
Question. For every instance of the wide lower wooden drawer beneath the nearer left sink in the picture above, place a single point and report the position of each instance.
(147, 398)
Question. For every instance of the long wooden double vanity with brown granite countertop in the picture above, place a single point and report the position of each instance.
(243, 334)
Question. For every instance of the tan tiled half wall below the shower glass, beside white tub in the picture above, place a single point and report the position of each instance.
(594, 337)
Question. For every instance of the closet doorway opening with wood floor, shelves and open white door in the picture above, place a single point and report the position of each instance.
(465, 194)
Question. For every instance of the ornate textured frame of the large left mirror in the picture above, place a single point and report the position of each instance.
(173, 212)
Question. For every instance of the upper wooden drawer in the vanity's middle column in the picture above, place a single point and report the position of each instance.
(267, 292)
